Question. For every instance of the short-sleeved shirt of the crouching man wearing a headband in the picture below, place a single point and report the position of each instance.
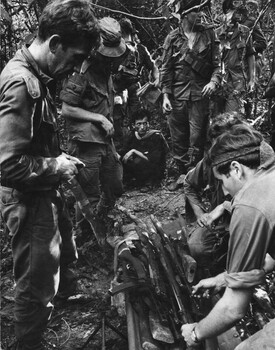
(252, 225)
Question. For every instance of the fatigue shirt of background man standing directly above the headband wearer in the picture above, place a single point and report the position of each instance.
(177, 78)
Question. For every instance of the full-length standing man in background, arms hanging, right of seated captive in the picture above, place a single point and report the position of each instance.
(189, 74)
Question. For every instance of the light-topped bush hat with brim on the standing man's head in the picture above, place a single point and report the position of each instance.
(112, 44)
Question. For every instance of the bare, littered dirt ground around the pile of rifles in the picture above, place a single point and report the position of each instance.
(74, 321)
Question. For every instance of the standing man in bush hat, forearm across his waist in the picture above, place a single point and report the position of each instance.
(88, 108)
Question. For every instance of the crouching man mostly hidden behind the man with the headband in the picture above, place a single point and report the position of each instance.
(208, 238)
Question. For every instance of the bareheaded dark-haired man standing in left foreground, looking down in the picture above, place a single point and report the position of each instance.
(32, 165)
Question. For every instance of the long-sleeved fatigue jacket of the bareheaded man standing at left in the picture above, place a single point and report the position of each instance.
(28, 129)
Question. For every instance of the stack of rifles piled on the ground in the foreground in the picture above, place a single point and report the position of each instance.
(152, 286)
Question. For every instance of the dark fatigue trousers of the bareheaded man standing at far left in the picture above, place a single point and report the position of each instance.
(42, 240)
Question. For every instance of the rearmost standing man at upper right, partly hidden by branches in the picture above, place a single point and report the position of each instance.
(238, 61)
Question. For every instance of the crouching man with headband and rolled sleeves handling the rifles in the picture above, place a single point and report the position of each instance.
(245, 165)
